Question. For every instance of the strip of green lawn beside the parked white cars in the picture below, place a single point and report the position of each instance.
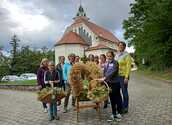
(25, 82)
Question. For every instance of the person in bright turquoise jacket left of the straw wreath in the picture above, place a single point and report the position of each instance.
(66, 70)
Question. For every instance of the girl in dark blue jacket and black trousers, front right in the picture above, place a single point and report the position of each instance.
(111, 77)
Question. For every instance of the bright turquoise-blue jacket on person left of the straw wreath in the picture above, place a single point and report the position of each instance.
(66, 70)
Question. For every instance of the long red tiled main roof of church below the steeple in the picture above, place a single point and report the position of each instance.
(101, 32)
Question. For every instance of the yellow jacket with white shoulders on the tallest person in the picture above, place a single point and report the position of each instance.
(124, 61)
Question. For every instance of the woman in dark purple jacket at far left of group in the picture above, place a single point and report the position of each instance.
(40, 77)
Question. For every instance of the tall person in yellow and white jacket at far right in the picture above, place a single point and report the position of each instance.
(124, 61)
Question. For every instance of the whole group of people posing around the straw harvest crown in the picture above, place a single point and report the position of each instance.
(116, 70)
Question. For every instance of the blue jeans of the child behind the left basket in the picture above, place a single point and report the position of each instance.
(52, 110)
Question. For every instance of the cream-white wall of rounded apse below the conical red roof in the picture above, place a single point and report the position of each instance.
(66, 49)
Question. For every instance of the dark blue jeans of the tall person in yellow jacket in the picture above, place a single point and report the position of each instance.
(124, 88)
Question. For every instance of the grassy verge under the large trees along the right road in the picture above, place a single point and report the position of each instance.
(165, 75)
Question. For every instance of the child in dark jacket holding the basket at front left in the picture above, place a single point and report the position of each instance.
(52, 80)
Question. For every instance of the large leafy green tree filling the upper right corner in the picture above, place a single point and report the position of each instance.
(149, 29)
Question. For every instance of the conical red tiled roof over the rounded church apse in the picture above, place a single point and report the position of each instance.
(71, 38)
